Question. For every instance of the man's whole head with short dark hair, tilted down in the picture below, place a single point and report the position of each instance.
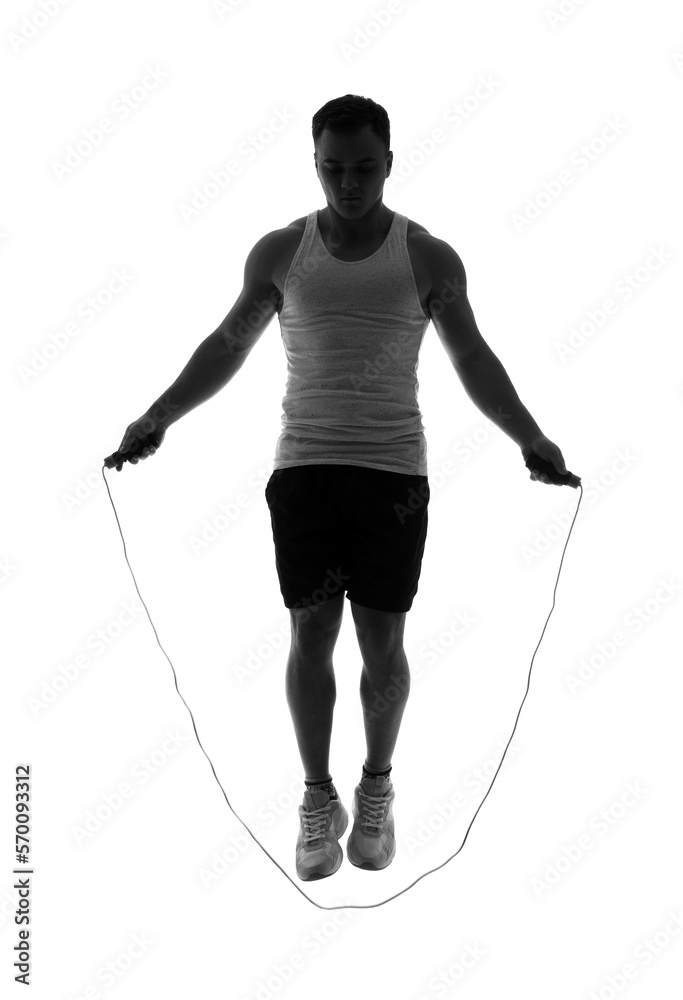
(352, 156)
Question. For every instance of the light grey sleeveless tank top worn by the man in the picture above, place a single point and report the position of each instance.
(352, 332)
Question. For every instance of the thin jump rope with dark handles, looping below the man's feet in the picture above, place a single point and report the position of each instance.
(535, 464)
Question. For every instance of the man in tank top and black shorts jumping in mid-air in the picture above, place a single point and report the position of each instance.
(355, 286)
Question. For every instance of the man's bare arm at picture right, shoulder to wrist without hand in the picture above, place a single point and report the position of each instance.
(484, 379)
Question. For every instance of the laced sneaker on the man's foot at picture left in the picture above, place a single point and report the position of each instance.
(322, 822)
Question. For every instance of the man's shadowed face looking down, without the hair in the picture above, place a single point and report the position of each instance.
(352, 164)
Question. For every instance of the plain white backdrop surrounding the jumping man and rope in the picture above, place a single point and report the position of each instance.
(543, 914)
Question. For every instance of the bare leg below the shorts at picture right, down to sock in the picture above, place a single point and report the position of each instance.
(385, 680)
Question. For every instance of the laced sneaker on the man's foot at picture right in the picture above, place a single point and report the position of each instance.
(372, 844)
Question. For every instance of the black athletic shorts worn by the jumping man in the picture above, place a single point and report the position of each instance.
(340, 528)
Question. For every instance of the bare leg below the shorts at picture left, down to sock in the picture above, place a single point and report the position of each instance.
(310, 684)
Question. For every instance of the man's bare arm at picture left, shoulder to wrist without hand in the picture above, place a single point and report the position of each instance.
(222, 353)
